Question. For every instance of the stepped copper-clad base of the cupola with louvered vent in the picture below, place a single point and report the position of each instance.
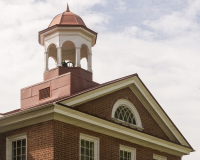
(58, 83)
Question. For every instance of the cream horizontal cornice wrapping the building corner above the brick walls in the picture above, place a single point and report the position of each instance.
(69, 115)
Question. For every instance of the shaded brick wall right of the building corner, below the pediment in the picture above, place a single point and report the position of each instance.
(67, 145)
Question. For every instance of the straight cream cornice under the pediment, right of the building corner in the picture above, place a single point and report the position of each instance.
(101, 125)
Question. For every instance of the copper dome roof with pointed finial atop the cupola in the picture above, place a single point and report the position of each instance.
(67, 18)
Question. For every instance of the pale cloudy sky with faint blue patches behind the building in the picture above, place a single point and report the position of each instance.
(159, 40)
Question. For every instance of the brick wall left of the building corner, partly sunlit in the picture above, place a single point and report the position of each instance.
(40, 141)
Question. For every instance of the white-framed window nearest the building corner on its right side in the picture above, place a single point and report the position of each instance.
(89, 147)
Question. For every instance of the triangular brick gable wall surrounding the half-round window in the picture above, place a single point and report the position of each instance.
(102, 107)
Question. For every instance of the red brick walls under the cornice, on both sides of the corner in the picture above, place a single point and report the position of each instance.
(60, 141)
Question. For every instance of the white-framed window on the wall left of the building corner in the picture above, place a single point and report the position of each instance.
(16, 147)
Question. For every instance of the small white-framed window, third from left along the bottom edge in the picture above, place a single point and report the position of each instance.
(127, 153)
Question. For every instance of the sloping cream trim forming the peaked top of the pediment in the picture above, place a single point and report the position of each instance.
(122, 84)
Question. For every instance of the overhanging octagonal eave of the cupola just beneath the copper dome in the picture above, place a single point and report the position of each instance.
(60, 27)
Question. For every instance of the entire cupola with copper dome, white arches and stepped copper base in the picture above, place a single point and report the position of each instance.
(67, 40)
